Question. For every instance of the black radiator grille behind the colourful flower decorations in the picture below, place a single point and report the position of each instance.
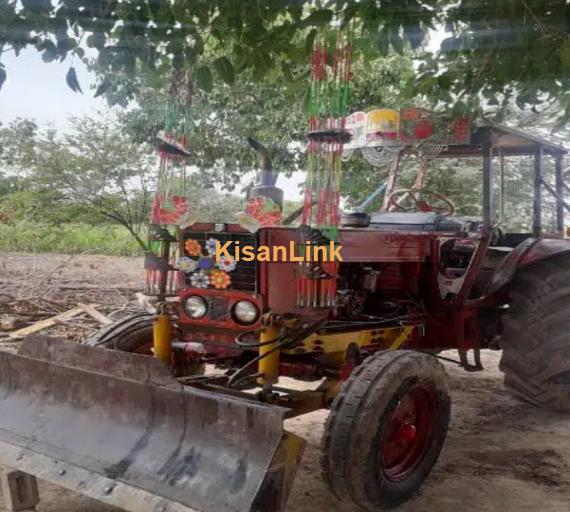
(244, 277)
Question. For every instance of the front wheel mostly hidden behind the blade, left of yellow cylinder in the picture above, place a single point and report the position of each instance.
(131, 334)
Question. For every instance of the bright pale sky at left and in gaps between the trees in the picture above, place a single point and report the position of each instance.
(37, 90)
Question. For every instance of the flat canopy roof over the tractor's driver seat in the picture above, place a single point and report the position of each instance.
(503, 139)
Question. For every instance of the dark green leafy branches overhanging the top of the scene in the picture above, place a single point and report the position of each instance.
(495, 51)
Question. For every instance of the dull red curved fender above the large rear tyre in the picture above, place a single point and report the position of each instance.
(531, 251)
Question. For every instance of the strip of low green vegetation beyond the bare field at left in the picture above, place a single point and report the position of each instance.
(26, 236)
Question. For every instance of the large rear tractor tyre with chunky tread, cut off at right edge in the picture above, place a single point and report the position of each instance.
(536, 335)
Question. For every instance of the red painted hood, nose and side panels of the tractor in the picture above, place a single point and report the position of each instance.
(410, 261)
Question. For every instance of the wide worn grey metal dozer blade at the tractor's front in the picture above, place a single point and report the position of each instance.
(119, 428)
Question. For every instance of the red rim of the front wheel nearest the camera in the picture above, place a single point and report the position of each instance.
(409, 433)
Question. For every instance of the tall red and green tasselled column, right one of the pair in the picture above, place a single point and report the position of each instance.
(328, 104)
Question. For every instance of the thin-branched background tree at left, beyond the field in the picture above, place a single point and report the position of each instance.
(93, 169)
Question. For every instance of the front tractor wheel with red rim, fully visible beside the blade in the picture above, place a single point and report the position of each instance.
(386, 429)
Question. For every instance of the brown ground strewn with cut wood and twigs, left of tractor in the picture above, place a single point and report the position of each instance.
(62, 298)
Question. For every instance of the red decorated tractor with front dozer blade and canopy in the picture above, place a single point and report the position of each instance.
(160, 433)
